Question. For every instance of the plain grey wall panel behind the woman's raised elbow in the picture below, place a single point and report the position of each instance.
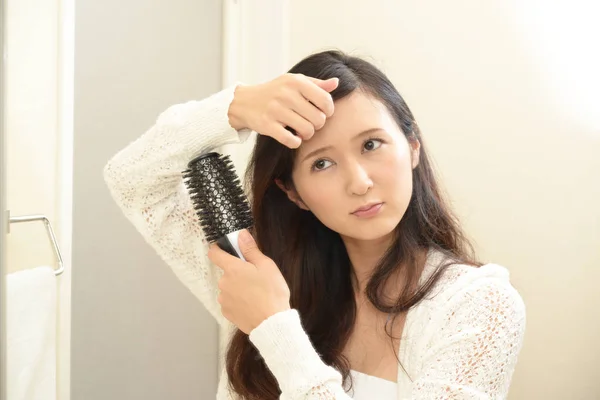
(137, 332)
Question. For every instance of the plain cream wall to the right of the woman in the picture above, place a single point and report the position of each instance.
(521, 167)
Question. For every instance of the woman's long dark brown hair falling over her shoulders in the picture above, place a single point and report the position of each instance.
(313, 258)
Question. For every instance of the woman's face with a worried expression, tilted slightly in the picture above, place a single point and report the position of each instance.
(359, 158)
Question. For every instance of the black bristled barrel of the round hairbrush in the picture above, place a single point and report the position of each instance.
(217, 195)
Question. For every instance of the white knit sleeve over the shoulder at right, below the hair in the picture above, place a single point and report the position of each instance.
(473, 353)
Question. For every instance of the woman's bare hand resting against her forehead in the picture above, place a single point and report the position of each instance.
(291, 101)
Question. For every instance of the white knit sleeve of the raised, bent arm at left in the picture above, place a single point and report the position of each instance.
(145, 180)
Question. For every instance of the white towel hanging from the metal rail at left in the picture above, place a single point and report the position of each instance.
(31, 334)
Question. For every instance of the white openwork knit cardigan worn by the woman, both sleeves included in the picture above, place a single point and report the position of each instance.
(460, 343)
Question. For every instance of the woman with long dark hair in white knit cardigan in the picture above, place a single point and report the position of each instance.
(359, 282)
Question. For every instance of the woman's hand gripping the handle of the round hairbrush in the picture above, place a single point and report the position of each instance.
(251, 290)
